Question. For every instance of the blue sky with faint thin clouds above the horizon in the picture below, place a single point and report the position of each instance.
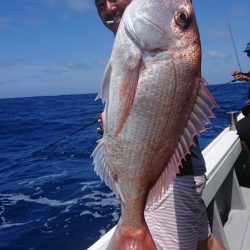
(54, 47)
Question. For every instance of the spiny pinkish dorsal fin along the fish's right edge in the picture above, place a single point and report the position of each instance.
(199, 116)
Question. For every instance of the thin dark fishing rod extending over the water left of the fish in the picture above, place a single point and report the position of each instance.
(40, 151)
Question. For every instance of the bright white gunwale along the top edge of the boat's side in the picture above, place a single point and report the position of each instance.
(220, 156)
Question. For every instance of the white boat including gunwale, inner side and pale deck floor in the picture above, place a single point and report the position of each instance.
(228, 204)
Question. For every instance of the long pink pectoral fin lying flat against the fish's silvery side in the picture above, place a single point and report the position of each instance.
(127, 93)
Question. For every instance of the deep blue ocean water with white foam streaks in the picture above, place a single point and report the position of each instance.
(52, 199)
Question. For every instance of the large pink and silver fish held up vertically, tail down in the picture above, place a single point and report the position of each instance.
(156, 102)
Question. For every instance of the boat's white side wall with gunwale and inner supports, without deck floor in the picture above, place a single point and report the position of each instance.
(222, 192)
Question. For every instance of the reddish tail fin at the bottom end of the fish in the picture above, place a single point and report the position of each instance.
(125, 238)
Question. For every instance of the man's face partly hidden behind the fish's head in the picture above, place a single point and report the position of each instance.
(110, 12)
